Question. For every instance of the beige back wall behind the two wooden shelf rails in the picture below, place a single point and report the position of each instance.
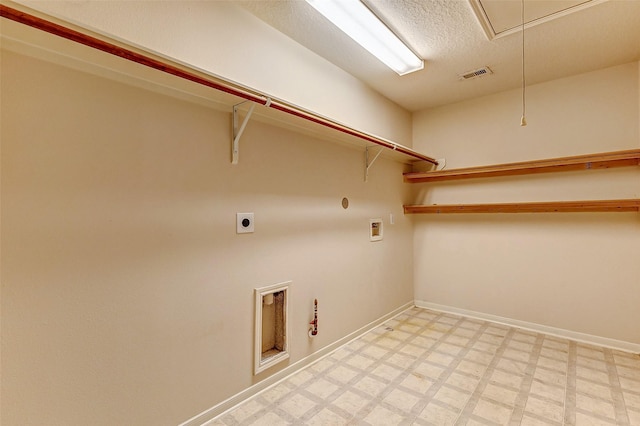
(578, 272)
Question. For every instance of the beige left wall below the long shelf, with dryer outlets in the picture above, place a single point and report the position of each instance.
(127, 297)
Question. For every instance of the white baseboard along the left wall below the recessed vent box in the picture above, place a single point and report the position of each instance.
(212, 413)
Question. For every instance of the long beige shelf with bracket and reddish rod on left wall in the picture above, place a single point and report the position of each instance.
(153, 68)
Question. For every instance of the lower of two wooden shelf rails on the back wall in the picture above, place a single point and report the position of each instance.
(630, 205)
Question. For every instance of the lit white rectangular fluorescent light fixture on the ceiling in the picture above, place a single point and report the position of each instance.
(359, 23)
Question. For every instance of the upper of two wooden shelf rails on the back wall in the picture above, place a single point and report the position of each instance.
(563, 164)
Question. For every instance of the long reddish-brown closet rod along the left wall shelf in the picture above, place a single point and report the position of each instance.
(165, 66)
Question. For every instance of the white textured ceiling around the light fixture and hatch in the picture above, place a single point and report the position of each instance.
(451, 39)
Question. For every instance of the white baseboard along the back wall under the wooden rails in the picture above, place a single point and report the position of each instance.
(531, 326)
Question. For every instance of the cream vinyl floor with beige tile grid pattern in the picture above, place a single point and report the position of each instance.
(431, 368)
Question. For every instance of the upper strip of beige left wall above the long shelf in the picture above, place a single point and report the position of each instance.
(223, 39)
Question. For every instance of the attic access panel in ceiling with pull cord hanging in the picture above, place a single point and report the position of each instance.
(503, 17)
